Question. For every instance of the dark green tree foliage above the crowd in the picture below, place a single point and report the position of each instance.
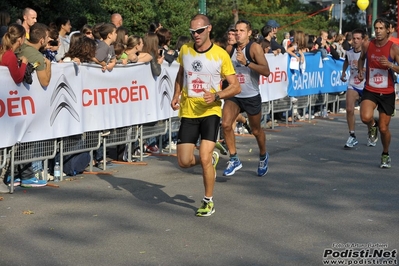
(175, 15)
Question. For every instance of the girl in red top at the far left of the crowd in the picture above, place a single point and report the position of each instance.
(11, 41)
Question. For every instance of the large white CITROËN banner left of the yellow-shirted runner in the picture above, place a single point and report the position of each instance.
(81, 99)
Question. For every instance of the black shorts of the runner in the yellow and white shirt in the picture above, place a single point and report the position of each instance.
(192, 128)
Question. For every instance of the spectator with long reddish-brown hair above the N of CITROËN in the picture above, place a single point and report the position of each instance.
(151, 46)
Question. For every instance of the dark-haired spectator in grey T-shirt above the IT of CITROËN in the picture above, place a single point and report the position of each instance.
(105, 53)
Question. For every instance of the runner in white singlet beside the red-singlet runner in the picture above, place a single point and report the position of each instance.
(355, 86)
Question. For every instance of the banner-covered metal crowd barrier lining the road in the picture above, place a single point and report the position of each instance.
(70, 115)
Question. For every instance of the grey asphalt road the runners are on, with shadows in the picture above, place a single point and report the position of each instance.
(315, 194)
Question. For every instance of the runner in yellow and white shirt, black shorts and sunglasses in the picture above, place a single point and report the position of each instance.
(197, 96)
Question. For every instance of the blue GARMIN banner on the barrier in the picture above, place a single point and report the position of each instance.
(319, 76)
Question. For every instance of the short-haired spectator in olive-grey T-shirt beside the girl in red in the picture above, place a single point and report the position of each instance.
(30, 49)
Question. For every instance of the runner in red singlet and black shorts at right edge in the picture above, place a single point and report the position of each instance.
(382, 58)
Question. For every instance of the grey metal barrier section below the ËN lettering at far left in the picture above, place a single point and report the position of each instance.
(31, 152)
